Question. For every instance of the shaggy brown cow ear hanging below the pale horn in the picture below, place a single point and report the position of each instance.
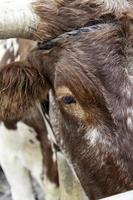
(21, 86)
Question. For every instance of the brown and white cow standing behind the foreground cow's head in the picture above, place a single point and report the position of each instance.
(25, 149)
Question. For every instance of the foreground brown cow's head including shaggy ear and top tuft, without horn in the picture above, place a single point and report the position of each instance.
(90, 76)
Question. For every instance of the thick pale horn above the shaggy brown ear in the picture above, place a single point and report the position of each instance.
(18, 19)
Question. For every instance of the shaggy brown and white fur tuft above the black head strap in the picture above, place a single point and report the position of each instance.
(57, 17)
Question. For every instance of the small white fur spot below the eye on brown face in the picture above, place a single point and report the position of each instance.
(93, 136)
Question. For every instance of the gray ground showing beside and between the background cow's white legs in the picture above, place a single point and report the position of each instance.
(5, 189)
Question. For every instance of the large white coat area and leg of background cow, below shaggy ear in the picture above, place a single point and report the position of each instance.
(20, 153)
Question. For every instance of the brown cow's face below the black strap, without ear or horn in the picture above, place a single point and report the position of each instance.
(90, 105)
